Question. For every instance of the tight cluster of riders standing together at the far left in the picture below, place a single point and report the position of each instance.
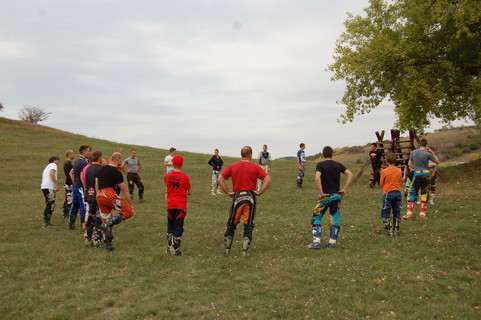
(92, 189)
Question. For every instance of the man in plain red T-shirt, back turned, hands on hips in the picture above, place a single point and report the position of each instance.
(244, 175)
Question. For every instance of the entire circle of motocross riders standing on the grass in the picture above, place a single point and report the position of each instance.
(96, 186)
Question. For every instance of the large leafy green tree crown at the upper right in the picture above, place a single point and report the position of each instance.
(423, 55)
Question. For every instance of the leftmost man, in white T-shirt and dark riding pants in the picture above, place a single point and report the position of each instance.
(49, 187)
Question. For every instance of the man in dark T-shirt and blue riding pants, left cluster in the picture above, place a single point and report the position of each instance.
(78, 201)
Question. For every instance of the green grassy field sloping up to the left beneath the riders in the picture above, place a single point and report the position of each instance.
(431, 272)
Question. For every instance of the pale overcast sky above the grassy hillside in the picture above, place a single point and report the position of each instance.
(194, 75)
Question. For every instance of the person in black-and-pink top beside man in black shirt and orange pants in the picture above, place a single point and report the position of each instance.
(93, 235)
